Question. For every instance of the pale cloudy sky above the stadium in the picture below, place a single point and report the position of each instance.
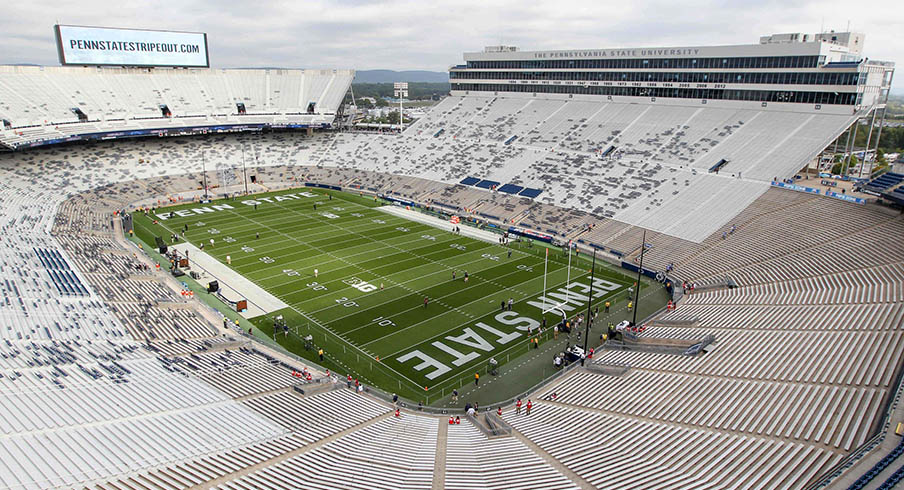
(432, 35)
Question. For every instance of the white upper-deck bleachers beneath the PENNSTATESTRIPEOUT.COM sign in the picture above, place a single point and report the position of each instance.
(39, 101)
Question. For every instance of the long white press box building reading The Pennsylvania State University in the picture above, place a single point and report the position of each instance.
(820, 72)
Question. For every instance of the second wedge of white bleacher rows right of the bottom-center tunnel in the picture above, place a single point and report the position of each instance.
(833, 415)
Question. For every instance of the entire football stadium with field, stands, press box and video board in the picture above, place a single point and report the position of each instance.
(588, 268)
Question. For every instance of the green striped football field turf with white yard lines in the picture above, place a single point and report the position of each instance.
(352, 244)
